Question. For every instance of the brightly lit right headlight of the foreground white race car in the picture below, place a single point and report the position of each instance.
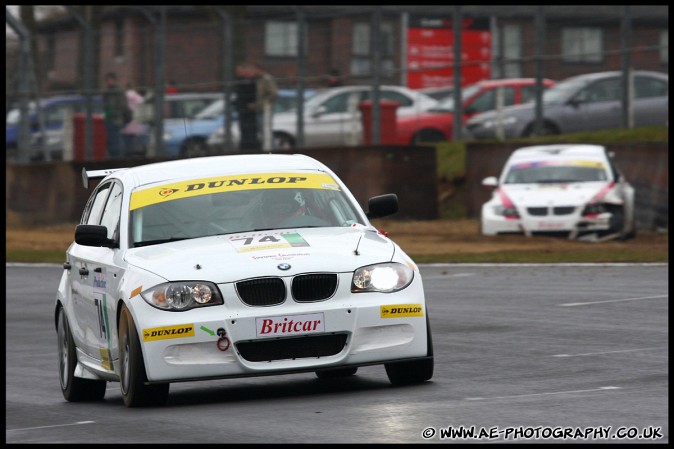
(385, 277)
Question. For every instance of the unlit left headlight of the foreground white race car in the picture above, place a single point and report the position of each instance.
(181, 296)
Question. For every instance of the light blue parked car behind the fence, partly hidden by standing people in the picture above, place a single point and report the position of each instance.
(188, 137)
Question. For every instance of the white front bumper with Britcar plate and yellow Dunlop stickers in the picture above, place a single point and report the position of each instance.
(236, 340)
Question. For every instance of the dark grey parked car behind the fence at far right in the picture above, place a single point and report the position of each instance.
(582, 103)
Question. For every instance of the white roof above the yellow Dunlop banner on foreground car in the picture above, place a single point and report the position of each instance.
(205, 167)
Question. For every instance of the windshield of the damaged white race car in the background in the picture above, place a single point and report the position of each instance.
(556, 172)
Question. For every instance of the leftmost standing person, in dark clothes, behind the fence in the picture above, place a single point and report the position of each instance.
(114, 109)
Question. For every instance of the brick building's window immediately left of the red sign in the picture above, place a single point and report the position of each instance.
(361, 49)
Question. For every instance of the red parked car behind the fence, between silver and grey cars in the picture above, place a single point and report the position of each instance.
(435, 125)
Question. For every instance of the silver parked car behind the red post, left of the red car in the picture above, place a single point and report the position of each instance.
(332, 117)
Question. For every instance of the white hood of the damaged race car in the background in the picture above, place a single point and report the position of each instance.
(558, 194)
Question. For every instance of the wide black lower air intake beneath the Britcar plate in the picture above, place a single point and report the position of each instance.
(291, 348)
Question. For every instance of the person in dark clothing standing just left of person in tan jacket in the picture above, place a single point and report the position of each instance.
(245, 104)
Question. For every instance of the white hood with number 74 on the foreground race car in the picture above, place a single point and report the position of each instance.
(231, 257)
